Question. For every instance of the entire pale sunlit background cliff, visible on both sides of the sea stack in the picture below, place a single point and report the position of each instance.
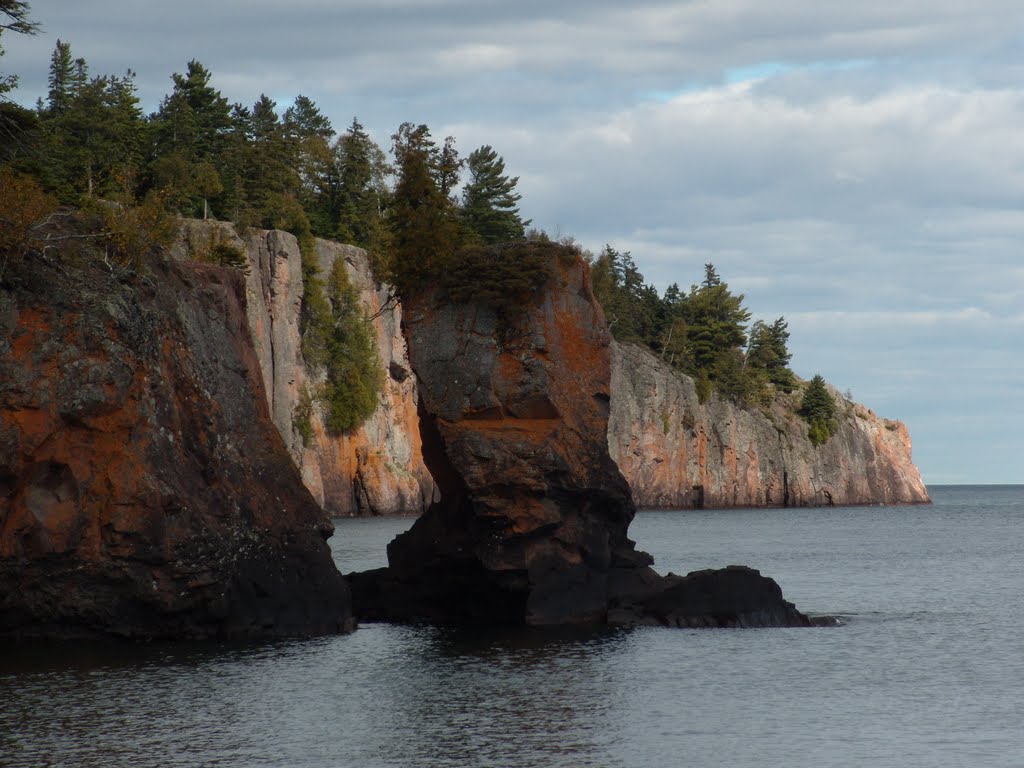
(666, 444)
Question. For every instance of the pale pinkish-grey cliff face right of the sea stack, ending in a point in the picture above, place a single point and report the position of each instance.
(677, 453)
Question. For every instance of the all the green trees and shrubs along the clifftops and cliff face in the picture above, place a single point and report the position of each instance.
(426, 216)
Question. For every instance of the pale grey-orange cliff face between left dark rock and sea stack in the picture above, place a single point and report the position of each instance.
(378, 468)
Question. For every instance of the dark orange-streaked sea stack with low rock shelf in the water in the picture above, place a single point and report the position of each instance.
(532, 524)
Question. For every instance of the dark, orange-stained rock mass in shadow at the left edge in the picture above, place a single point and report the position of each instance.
(145, 492)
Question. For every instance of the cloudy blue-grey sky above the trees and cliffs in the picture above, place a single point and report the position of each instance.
(858, 168)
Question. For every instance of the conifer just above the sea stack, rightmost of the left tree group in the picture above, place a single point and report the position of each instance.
(490, 201)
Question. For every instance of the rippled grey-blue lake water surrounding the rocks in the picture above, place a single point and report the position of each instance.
(927, 672)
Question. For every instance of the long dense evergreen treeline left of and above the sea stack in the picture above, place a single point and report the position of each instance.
(259, 165)
